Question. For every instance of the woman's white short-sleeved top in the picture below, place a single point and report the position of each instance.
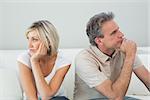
(60, 62)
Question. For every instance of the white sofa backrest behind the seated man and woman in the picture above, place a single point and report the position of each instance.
(8, 61)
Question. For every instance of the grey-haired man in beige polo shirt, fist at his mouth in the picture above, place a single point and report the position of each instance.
(103, 71)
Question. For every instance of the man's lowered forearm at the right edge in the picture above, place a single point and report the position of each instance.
(144, 75)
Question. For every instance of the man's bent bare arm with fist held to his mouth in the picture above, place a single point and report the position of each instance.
(117, 90)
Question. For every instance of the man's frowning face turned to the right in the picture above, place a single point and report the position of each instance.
(113, 37)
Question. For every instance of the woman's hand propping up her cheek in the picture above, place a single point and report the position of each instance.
(41, 52)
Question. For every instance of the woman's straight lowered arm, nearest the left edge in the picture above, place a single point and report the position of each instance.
(27, 82)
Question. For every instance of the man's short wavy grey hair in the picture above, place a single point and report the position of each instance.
(93, 28)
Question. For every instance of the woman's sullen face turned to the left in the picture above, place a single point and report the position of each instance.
(33, 42)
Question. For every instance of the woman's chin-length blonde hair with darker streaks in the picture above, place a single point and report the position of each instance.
(47, 33)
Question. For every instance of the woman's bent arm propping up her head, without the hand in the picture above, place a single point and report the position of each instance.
(48, 90)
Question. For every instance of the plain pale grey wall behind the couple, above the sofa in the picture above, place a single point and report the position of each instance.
(70, 18)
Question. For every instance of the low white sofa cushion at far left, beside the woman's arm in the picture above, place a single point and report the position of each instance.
(9, 85)
